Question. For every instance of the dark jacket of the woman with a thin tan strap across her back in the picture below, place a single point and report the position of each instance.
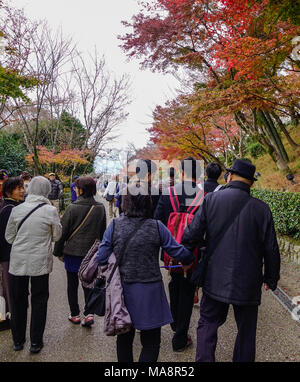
(92, 229)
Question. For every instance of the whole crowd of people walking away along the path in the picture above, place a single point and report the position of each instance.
(235, 229)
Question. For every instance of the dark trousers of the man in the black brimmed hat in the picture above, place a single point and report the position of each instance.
(212, 315)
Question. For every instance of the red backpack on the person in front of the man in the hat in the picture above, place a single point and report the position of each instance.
(178, 221)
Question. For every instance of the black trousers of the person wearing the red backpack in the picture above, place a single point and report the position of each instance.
(181, 303)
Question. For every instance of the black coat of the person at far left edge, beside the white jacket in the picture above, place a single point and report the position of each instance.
(5, 210)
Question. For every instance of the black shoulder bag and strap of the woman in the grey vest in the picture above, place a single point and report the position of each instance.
(96, 299)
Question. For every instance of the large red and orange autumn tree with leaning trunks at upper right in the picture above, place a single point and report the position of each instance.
(239, 59)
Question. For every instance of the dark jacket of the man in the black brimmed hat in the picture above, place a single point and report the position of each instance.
(235, 271)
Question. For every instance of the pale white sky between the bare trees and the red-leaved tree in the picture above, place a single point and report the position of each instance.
(98, 23)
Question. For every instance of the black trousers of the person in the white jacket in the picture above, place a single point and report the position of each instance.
(19, 292)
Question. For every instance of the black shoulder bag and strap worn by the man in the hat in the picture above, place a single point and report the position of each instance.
(198, 275)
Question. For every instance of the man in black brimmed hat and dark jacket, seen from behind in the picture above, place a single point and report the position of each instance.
(242, 254)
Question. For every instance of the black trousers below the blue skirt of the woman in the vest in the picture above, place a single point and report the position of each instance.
(150, 340)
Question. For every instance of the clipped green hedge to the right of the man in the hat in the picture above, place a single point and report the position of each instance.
(285, 207)
